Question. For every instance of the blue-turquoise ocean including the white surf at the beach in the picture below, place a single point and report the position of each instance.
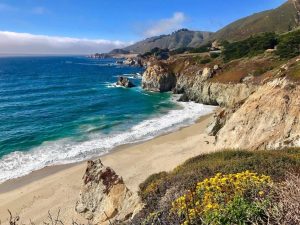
(59, 110)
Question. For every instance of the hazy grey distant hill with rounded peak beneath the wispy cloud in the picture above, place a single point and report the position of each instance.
(178, 39)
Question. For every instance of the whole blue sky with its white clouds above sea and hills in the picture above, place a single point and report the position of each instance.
(89, 26)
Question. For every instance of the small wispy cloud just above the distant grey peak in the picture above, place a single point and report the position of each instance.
(165, 26)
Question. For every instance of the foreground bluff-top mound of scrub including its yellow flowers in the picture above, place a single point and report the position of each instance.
(163, 193)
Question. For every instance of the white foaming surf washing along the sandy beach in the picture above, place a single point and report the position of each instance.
(65, 151)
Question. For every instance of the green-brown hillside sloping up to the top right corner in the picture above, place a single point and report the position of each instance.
(281, 19)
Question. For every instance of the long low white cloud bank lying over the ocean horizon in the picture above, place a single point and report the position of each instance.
(25, 43)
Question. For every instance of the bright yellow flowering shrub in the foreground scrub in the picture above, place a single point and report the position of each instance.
(239, 198)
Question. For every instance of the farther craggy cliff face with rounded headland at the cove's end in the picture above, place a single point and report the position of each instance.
(195, 87)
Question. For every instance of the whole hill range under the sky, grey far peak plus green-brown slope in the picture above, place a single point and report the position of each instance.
(282, 19)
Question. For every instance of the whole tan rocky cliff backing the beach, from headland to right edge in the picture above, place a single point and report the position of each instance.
(259, 112)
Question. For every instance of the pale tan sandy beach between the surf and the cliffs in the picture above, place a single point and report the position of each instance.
(58, 187)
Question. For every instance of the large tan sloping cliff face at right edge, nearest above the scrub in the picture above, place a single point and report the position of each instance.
(269, 119)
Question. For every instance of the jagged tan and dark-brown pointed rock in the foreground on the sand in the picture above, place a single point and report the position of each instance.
(104, 198)
